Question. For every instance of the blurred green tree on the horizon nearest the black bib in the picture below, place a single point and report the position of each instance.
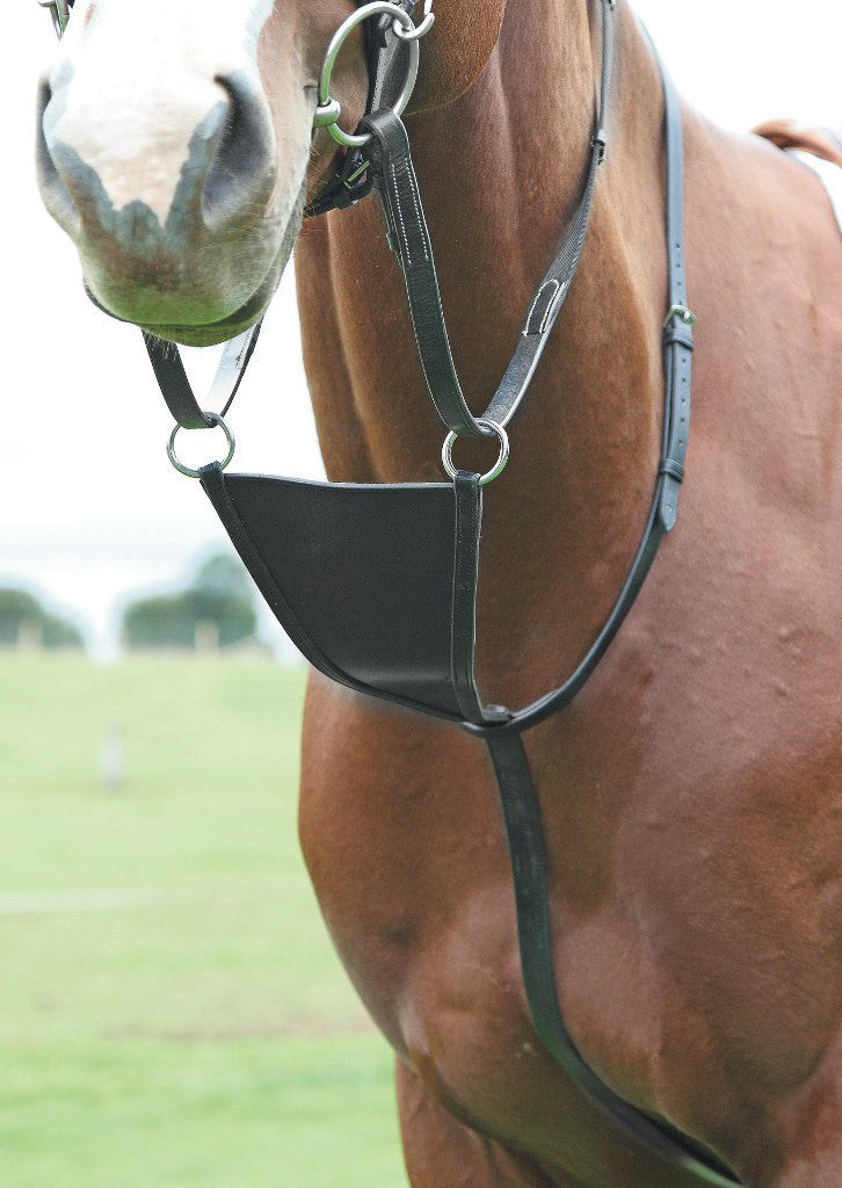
(219, 606)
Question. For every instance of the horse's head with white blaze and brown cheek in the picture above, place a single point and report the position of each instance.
(176, 144)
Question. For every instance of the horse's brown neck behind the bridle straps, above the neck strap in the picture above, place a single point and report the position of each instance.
(498, 173)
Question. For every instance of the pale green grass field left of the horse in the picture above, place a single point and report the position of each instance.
(172, 1013)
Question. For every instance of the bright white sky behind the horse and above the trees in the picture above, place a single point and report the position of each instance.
(90, 508)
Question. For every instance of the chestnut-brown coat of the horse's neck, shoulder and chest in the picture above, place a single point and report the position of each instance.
(692, 794)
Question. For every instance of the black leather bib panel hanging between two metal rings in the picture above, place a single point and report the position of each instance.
(363, 579)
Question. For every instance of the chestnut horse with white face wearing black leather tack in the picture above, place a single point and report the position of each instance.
(691, 793)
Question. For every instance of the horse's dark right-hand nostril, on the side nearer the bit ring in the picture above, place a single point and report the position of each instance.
(244, 161)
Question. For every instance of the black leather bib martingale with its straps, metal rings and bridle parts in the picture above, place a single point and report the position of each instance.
(426, 660)
